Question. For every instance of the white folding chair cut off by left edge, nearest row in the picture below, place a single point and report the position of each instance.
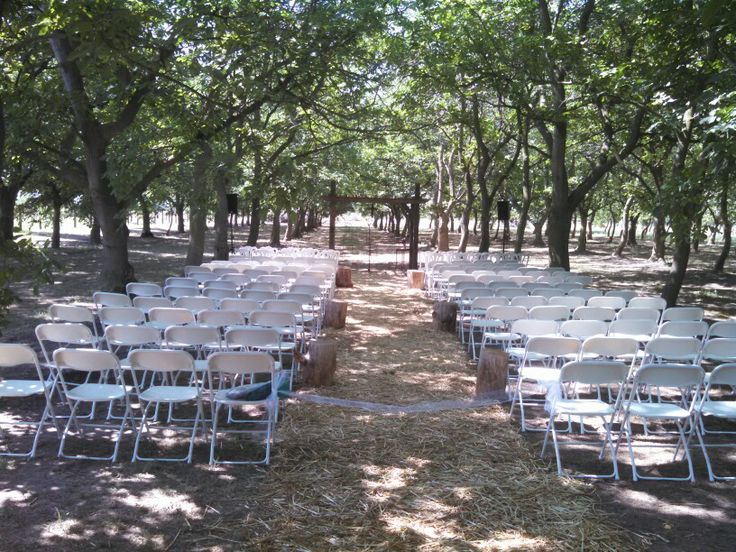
(13, 356)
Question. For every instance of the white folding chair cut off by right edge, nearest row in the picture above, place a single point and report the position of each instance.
(717, 407)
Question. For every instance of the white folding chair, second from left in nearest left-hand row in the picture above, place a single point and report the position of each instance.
(108, 388)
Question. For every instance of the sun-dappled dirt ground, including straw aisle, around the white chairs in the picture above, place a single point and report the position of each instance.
(345, 479)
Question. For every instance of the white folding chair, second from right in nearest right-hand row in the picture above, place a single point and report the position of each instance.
(678, 383)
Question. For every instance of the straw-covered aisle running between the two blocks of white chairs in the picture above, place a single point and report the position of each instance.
(462, 480)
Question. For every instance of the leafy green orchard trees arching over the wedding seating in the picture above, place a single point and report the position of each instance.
(586, 110)
